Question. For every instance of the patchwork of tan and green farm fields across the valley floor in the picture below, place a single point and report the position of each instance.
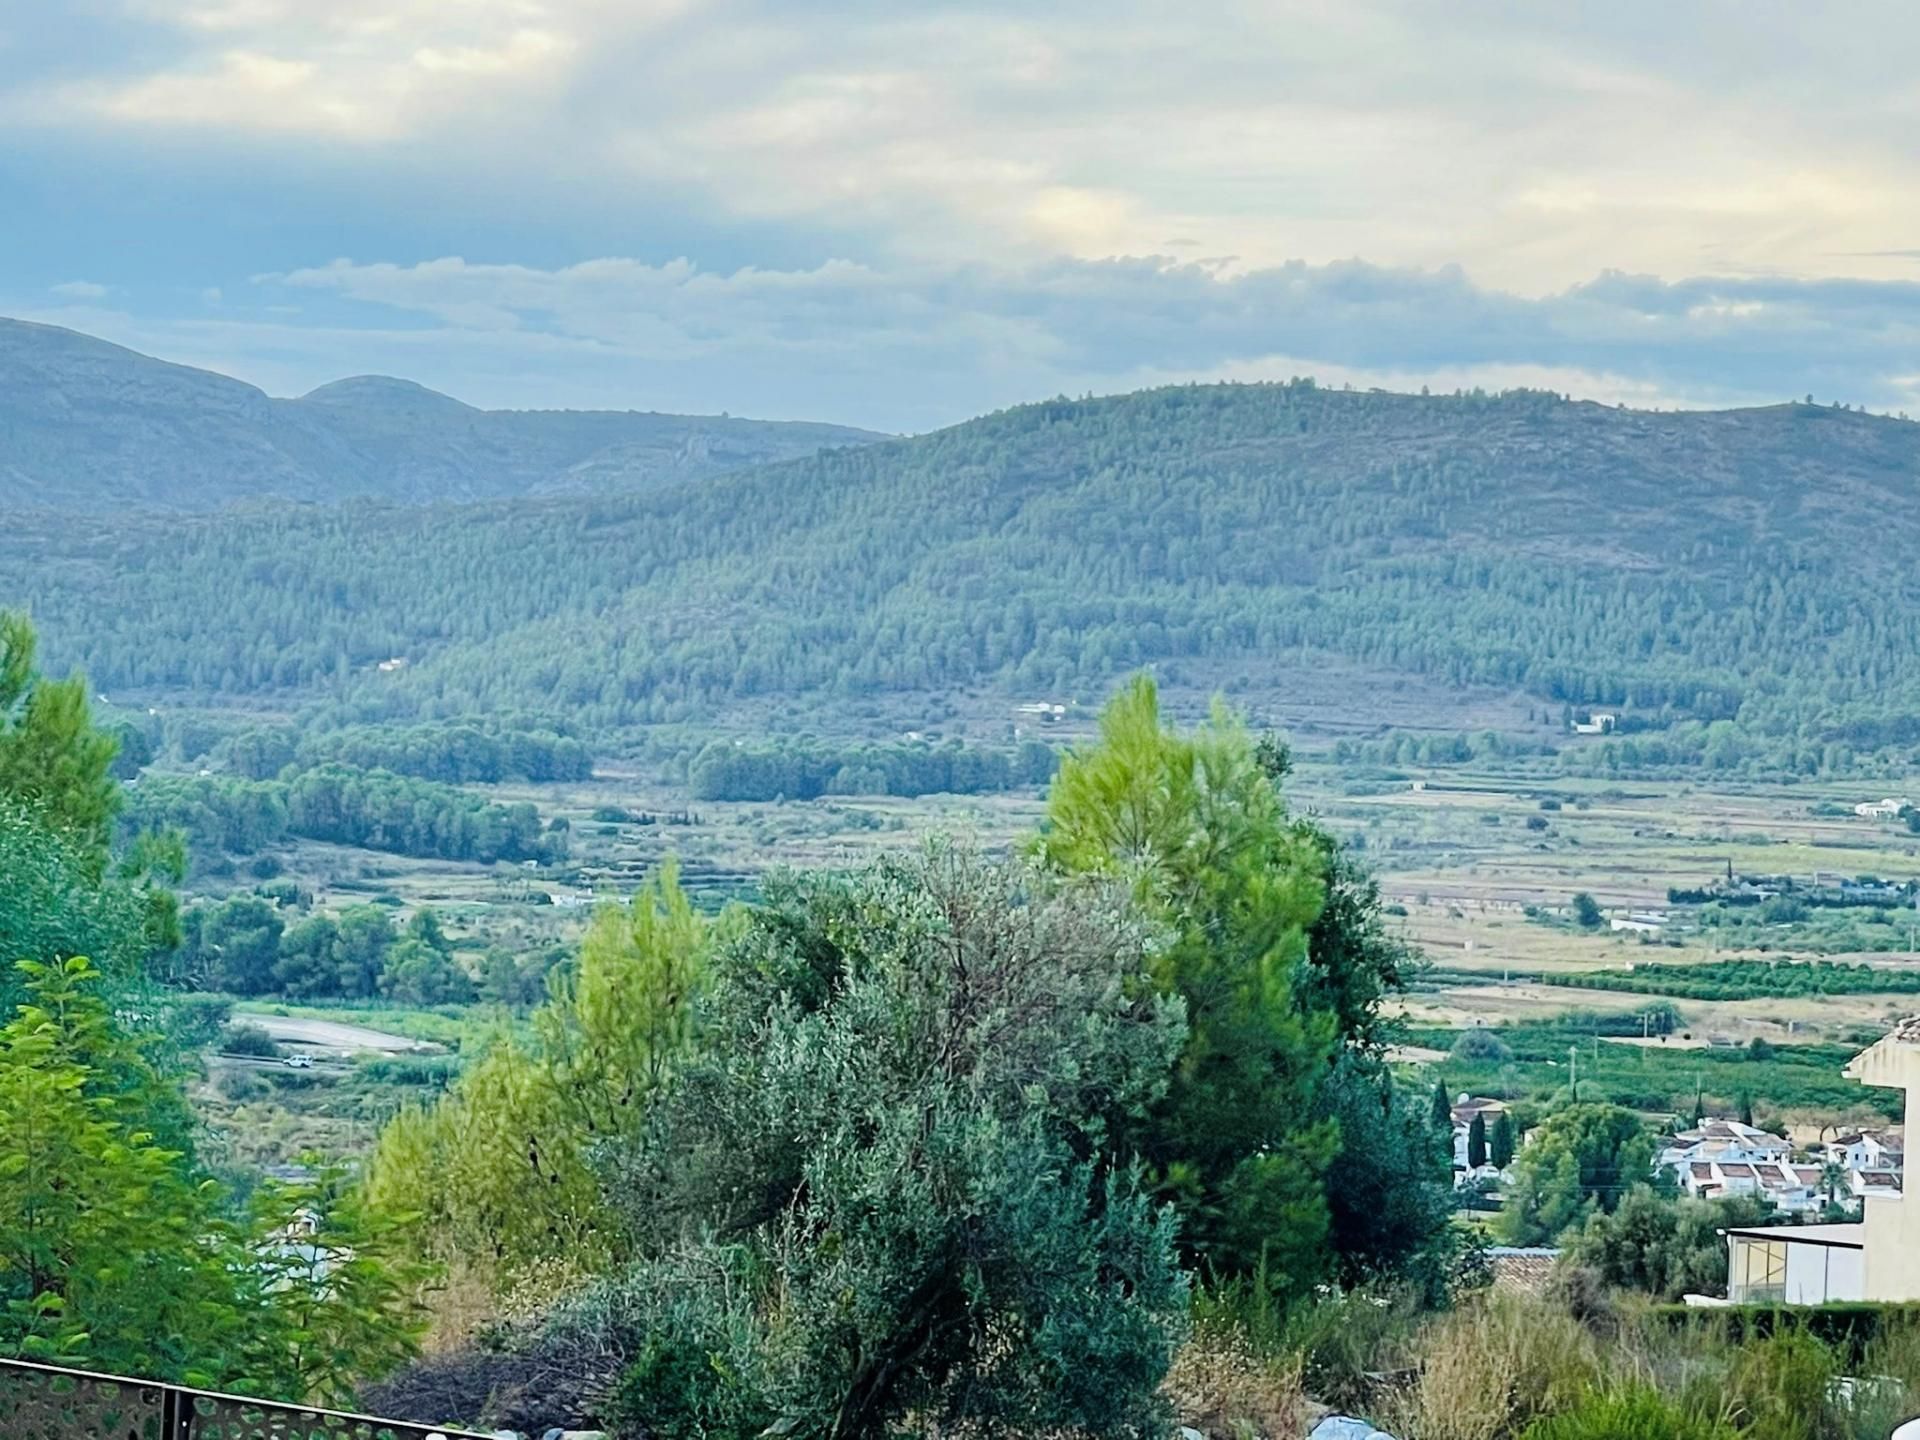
(1479, 867)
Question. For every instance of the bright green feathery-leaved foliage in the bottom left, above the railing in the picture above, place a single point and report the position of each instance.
(116, 1255)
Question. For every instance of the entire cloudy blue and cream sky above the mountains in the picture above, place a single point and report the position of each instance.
(907, 214)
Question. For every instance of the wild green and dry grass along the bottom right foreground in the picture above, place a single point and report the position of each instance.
(1543, 1368)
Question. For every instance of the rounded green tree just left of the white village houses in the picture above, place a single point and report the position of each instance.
(1583, 1159)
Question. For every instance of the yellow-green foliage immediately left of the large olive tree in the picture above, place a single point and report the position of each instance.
(496, 1170)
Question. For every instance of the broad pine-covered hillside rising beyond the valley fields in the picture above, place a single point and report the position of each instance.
(1677, 567)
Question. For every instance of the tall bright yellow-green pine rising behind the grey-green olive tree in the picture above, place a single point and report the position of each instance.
(1195, 828)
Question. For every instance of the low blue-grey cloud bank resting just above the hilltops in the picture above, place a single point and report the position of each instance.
(921, 345)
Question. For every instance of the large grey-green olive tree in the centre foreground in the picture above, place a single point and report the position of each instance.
(888, 1184)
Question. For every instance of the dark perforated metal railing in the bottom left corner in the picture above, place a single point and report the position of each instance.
(45, 1403)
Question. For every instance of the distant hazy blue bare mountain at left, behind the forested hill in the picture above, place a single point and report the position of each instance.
(95, 427)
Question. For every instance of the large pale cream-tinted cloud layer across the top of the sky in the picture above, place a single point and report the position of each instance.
(1537, 145)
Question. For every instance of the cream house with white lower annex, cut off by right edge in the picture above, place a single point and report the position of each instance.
(1873, 1260)
